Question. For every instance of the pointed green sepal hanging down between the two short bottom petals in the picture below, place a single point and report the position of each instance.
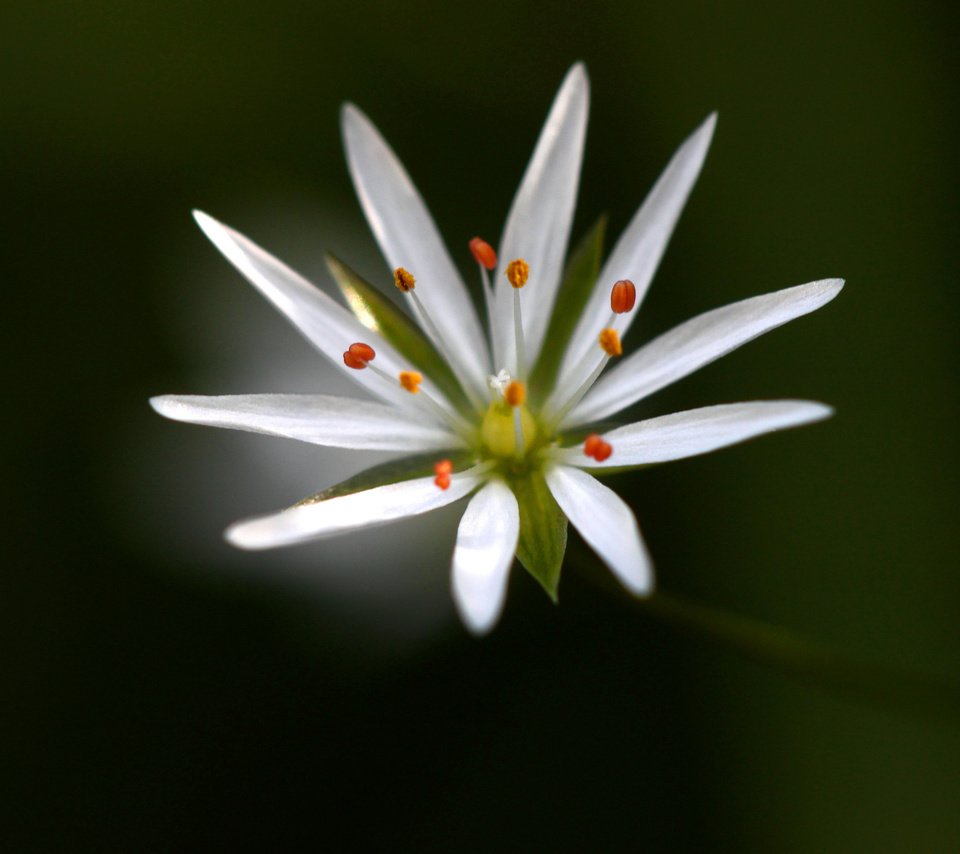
(543, 531)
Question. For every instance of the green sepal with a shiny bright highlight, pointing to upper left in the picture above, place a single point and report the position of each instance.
(380, 315)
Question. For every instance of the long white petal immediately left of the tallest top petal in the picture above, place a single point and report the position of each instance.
(408, 238)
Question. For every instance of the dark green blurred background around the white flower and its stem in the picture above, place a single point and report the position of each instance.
(162, 692)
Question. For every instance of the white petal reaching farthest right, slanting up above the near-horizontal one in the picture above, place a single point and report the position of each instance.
(696, 343)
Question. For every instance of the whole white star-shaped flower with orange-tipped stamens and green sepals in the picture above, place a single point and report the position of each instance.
(505, 421)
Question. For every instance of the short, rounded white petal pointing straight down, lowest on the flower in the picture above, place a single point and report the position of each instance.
(486, 543)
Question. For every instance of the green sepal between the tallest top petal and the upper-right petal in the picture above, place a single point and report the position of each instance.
(579, 279)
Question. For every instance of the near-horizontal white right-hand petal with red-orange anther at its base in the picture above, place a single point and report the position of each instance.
(698, 431)
